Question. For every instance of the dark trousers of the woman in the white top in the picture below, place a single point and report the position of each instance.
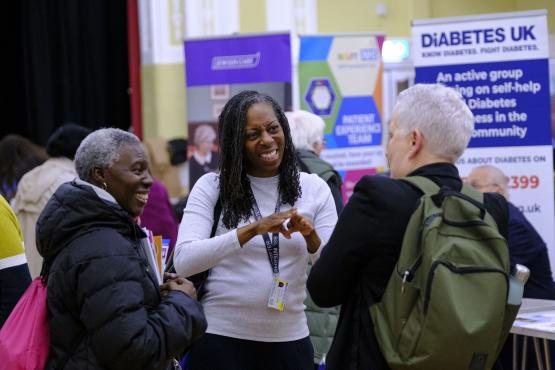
(216, 352)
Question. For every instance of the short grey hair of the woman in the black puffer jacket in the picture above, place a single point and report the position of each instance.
(101, 149)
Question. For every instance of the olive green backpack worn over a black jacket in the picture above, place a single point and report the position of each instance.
(445, 305)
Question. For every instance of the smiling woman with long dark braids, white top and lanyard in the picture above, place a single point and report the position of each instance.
(272, 219)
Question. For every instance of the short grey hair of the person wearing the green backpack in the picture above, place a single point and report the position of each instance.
(440, 113)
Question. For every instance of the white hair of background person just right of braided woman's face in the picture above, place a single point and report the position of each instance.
(307, 129)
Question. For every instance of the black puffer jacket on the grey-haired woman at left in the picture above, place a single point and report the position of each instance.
(105, 304)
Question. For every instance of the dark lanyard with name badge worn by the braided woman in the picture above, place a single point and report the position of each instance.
(276, 300)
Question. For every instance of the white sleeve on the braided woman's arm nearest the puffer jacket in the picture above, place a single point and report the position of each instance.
(195, 251)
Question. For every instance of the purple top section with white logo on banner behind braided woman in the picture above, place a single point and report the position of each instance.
(243, 59)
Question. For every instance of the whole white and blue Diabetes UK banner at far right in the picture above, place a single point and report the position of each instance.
(499, 63)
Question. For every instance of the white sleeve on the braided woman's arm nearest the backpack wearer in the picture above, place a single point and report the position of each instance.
(325, 215)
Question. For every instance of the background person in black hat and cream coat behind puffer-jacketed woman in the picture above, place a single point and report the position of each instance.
(37, 186)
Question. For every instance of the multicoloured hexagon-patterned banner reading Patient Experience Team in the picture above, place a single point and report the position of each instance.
(340, 79)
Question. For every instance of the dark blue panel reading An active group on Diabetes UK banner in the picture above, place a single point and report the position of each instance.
(508, 99)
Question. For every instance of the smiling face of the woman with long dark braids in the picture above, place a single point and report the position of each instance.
(264, 141)
